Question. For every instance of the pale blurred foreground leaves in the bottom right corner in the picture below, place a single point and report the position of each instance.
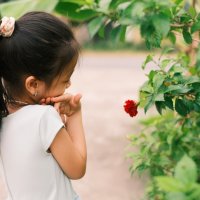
(183, 184)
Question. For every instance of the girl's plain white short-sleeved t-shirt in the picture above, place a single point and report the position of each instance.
(30, 171)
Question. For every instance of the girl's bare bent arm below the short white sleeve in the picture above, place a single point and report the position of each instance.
(69, 146)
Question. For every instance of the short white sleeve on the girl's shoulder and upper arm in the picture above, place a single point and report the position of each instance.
(50, 124)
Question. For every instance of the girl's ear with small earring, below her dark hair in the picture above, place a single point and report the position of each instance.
(32, 85)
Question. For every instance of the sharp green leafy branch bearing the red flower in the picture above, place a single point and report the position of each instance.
(170, 86)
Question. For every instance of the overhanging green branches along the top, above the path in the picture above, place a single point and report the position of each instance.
(157, 19)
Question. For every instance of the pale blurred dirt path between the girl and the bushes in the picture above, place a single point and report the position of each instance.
(106, 81)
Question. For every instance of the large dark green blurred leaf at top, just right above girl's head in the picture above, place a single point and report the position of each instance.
(74, 11)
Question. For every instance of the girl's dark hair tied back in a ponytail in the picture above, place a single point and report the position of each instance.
(41, 45)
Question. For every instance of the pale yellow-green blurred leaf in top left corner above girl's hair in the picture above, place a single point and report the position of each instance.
(18, 8)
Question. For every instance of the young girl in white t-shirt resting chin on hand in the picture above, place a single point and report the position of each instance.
(42, 141)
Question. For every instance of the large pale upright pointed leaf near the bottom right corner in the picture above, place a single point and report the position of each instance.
(186, 170)
